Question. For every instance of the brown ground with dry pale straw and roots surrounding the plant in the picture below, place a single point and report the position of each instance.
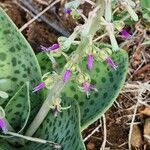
(118, 117)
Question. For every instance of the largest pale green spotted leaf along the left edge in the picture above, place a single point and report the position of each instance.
(18, 63)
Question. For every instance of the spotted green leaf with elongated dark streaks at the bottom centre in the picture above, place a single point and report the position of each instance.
(63, 129)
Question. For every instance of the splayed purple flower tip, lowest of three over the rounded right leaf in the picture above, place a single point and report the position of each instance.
(88, 87)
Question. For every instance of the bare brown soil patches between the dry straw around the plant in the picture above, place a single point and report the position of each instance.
(118, 117)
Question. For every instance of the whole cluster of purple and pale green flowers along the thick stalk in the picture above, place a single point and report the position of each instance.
(92, 53)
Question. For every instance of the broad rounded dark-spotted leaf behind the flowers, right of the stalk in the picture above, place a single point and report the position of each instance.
(108, 82)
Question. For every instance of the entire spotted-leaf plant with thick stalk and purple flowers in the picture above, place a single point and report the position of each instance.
(59, 92)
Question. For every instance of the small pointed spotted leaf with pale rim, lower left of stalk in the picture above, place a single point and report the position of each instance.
(17, 112)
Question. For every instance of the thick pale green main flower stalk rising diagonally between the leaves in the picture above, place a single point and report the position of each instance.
(76, 58)
